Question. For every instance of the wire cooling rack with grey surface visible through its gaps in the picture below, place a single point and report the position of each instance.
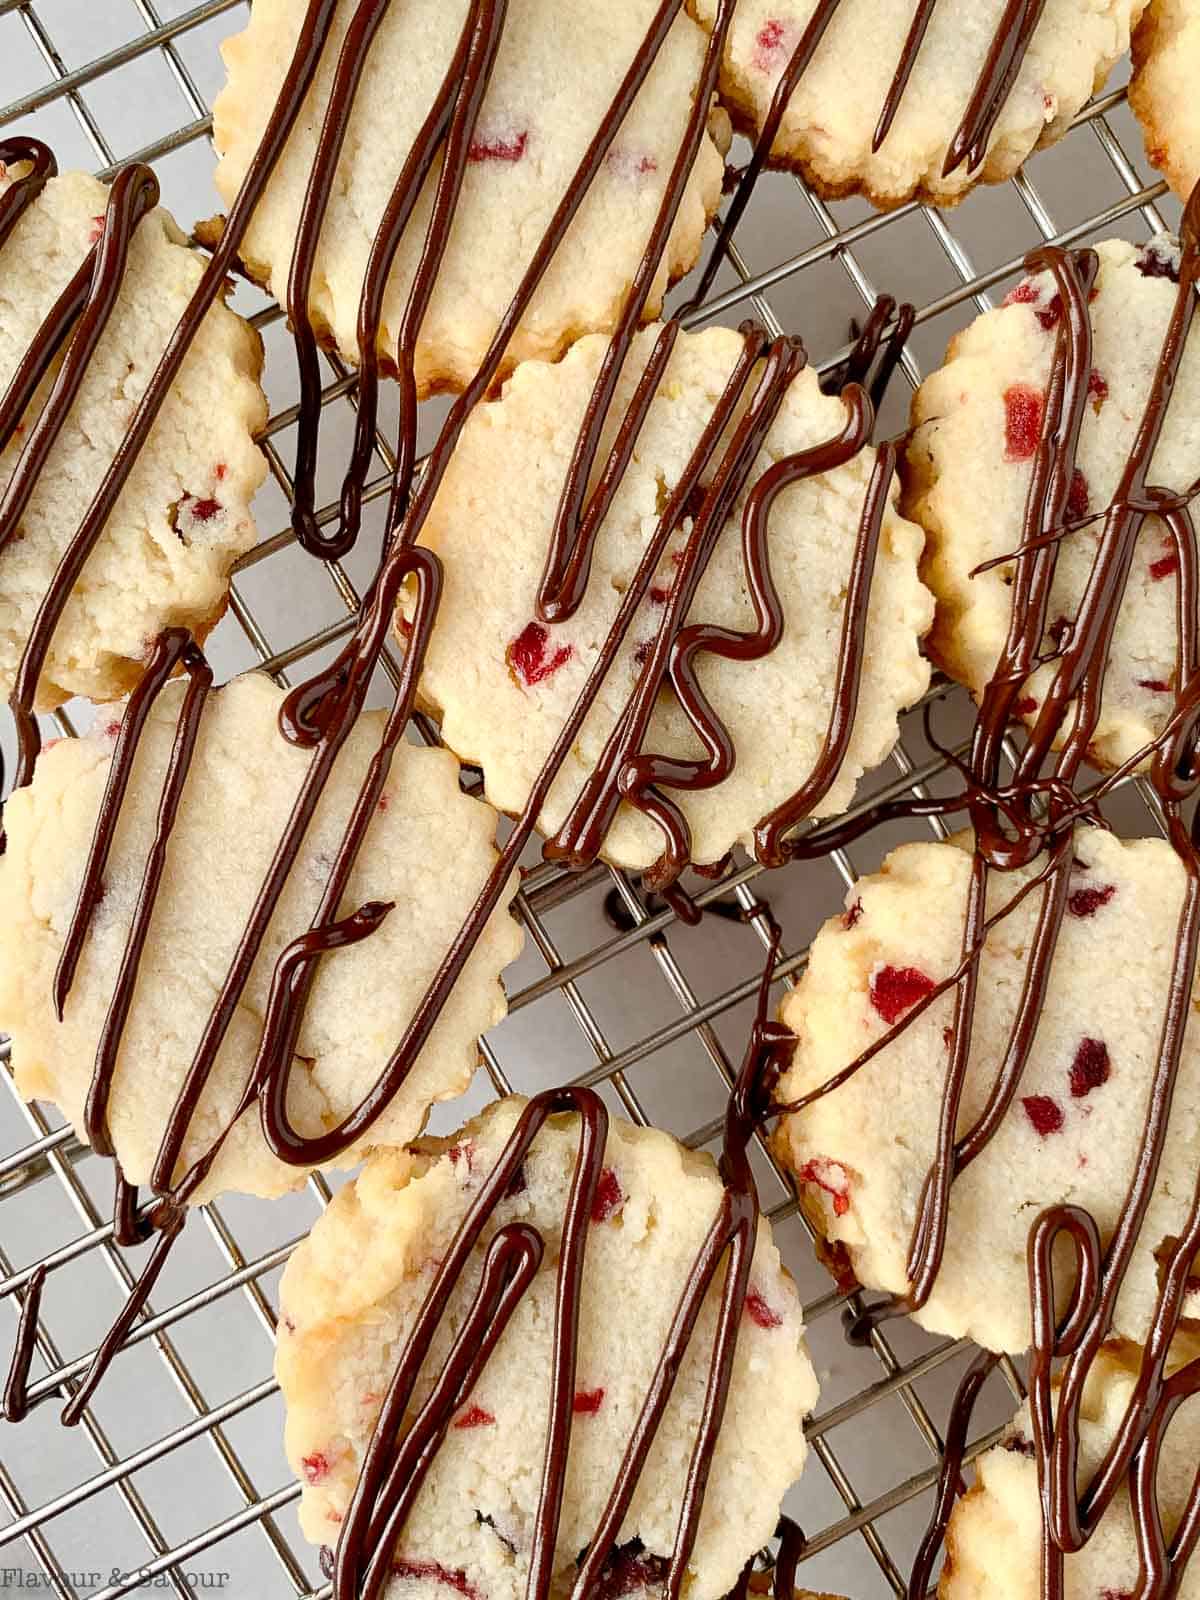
(177, 1479)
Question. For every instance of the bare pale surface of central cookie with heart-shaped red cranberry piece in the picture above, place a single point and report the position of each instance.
(505, 692)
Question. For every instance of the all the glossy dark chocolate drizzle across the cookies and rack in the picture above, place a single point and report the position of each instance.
(321, 714)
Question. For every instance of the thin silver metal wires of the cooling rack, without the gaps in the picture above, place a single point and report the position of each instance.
(46, 1151)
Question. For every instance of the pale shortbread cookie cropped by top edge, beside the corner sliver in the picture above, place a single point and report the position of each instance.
(831, 121)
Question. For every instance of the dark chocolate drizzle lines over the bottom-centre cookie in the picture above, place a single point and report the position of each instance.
(399, 1458)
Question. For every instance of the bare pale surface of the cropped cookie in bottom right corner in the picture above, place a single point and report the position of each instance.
(993, 1548)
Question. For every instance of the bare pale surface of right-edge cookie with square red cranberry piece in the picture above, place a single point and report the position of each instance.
(970, 460)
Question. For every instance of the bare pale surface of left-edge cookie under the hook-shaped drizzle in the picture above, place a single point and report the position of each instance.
(430, 850)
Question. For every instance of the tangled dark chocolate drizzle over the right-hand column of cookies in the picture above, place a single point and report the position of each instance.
(1012, 833)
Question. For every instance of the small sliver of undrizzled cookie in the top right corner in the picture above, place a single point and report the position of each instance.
(1162, 90)
